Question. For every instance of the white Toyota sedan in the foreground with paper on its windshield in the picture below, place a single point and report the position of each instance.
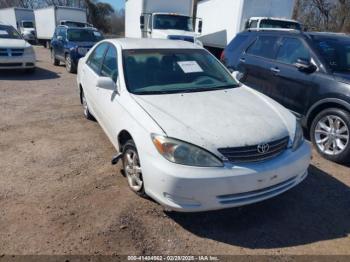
(188, 134)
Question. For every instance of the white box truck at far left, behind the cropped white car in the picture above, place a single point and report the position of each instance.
(22, 19)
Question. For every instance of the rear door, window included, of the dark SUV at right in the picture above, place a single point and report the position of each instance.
(256, 63)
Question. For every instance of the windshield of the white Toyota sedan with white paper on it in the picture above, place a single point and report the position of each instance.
(174, 71)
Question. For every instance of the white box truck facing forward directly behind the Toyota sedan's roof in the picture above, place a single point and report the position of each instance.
(165, 19)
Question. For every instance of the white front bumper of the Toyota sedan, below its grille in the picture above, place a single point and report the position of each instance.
(192, 189)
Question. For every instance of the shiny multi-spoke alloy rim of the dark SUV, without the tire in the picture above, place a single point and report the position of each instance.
(332, 135)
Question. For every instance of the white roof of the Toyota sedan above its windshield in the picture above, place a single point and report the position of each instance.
(146, 43)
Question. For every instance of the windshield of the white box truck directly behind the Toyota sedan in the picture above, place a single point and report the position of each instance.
(176, 22)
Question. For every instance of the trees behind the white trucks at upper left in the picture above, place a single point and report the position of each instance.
(101, 15)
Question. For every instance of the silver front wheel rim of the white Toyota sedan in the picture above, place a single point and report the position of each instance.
(133, 170)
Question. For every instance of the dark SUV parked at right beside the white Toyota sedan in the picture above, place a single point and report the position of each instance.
(309, 73)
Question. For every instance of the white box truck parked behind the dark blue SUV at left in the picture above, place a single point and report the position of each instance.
(48, 18)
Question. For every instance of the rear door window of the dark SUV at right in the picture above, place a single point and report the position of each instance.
(264, 46)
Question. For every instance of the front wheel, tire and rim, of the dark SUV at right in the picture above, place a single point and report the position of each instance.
(330, 134)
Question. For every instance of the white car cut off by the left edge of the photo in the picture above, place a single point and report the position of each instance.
(15, 52)
